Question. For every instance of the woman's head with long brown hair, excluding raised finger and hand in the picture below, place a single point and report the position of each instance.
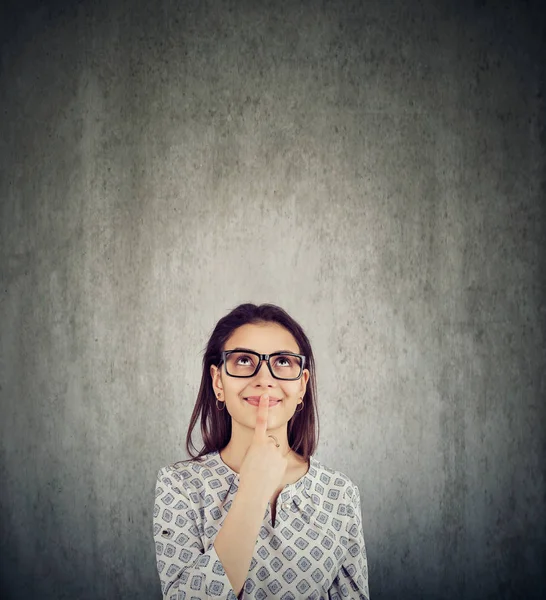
(265, 329)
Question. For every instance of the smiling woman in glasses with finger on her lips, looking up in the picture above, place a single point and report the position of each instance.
(254, 514)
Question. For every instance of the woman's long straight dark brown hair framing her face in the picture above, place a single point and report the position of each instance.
(215, 424)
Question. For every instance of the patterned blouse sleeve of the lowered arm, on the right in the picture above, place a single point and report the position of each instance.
(352, 578)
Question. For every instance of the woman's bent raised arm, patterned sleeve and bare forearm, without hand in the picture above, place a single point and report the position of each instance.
(185, 569)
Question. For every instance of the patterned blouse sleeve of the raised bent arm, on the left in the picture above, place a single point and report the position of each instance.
(185, 570)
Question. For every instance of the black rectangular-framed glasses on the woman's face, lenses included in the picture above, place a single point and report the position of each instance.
(245, 363)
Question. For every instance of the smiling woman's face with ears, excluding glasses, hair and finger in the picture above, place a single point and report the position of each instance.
(265, 339)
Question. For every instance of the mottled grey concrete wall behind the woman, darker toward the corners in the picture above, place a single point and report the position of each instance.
(377, 169)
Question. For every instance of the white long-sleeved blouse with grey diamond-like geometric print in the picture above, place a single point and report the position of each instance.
(315, 549)
